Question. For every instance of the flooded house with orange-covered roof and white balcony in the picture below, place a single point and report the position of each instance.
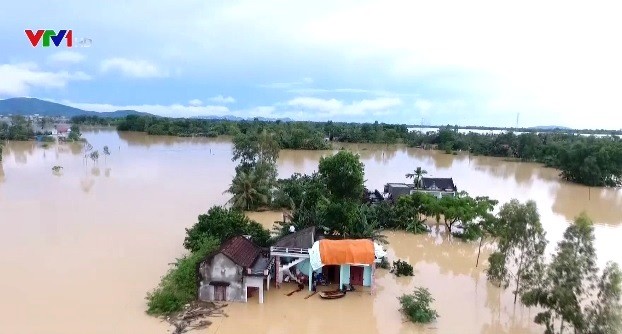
(304, 254)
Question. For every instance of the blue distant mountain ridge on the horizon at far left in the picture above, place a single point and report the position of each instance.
(30, 106)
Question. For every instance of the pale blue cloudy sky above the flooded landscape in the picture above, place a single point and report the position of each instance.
(410, 62)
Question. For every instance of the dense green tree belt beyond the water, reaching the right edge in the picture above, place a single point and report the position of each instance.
(592, 161)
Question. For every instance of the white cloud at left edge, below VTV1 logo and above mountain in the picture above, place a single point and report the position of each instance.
(20, 79)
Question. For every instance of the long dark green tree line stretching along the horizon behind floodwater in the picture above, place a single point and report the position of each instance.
(592, 161)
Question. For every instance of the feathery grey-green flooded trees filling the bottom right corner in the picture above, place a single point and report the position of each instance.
(571, 281)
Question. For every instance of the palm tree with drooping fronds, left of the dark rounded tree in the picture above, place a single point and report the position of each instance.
(246, 190)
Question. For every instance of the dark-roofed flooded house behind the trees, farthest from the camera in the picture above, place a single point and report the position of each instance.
(435, 186)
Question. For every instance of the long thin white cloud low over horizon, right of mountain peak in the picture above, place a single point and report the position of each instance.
(173, 110)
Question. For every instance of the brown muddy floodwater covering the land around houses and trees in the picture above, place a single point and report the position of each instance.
(81, 249)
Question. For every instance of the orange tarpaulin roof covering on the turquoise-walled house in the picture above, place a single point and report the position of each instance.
(348, 251)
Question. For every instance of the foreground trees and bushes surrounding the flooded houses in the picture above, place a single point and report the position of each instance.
(570, 291)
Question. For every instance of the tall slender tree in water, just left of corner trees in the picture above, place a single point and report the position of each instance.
(521, 243)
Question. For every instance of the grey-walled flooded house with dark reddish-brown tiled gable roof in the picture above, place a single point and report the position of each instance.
(236, 268)
